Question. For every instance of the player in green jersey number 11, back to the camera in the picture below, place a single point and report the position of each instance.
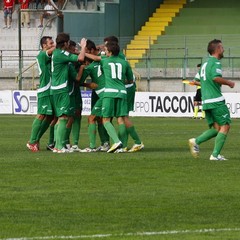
(116, 71)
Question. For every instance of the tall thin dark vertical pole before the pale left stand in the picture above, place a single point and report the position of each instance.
(19, 51)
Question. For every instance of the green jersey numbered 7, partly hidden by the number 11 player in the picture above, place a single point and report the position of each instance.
(94, 71)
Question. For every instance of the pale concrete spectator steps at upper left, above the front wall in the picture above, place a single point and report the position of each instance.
(30, 37)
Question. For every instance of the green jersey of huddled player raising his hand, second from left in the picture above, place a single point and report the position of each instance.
(60, 68)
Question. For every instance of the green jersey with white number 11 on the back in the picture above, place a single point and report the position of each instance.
(116, 70)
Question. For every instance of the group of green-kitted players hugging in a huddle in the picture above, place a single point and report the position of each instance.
(63, 70)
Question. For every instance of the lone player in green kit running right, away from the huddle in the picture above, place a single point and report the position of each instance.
(217, 113)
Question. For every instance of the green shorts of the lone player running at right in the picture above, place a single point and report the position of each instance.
(220, 115)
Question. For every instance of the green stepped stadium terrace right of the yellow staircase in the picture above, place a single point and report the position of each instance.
(190, 31)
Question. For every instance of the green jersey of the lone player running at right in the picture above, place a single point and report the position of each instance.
(211, 91)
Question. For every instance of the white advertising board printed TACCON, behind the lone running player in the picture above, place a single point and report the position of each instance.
(176, 104)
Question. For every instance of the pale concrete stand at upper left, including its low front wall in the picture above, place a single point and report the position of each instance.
(30, 38)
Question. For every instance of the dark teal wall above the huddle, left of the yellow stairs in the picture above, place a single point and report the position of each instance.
(122, 19)
